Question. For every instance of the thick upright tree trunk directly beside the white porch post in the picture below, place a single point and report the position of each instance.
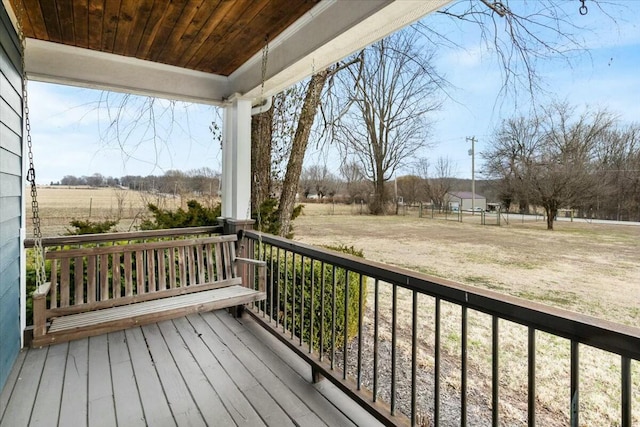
(260, 158)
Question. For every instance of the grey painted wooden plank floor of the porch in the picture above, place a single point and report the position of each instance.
(204, 369)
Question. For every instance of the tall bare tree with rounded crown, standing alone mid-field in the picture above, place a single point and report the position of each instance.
(385, 120)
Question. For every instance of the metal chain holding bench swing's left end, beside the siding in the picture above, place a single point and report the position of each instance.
(38, 250)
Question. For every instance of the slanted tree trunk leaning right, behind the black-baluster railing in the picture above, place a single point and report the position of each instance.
(298, 149)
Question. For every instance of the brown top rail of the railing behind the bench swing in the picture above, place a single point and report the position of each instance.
(123, 236)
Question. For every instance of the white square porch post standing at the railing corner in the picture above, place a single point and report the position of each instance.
(236, 161)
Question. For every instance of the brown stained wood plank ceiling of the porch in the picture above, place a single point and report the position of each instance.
(214, 36)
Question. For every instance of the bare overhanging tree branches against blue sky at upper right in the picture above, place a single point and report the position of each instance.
(522, 34)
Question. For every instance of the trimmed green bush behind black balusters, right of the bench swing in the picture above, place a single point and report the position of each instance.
(303, 284)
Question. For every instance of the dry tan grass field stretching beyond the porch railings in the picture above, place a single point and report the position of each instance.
(589, 268)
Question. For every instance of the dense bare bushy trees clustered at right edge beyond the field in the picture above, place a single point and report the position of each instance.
(559, 158)
